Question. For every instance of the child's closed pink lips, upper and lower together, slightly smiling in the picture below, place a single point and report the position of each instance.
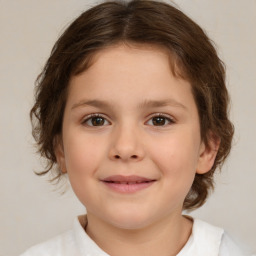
(127, 184)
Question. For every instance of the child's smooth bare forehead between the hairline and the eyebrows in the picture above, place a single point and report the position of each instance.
(129, 73)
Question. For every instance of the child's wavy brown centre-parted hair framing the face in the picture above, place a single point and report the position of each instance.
(143, 22)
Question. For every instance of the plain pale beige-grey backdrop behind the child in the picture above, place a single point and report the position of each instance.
(32, 210)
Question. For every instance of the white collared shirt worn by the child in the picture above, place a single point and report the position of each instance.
(205, 240)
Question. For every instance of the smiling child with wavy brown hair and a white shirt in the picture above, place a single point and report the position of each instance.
(132, 105)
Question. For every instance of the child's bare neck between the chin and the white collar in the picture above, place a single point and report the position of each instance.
(165, 237)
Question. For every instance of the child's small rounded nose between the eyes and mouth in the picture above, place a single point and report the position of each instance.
(126, 145)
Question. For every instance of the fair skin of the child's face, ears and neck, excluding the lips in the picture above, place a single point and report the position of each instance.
(127, 142)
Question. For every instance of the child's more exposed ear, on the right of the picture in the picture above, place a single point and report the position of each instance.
(208, 154)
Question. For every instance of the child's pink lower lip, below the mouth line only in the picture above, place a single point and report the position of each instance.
(128, 188)
